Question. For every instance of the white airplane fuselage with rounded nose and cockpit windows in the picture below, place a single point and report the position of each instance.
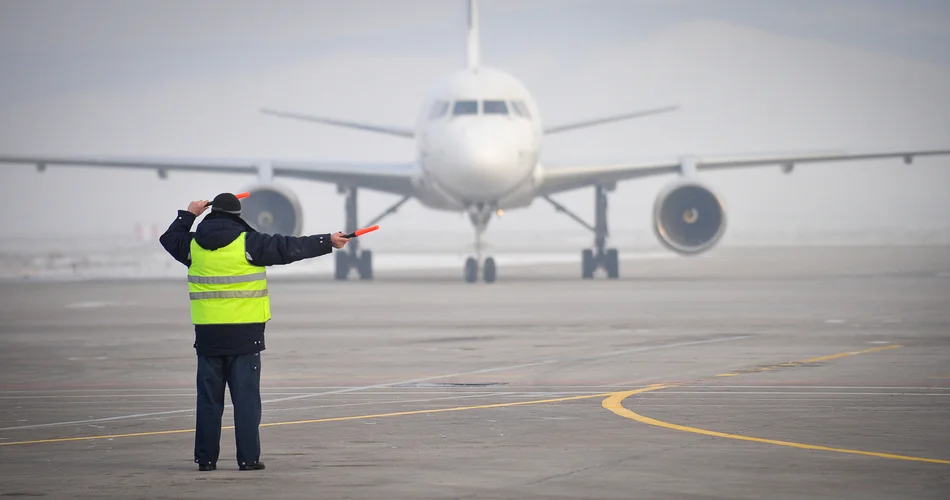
(478, 138)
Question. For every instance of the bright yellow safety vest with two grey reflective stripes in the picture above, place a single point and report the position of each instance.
(225, 288)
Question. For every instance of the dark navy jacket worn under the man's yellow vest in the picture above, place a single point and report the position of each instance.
(217, 230)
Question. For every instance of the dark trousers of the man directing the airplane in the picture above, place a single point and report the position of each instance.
(242, 374)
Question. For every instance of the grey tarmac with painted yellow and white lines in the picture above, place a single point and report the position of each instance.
(773, 373)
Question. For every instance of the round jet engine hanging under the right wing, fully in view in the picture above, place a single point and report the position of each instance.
(688, 218)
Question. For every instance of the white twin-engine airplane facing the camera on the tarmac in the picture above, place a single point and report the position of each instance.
(478, 138)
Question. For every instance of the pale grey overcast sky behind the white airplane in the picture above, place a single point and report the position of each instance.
(187, 78)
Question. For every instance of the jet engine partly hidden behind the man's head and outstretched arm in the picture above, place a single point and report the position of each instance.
(273, 209)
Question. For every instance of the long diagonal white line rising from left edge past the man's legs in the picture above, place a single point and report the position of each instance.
(404, 382)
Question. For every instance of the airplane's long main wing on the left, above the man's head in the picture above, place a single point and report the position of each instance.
(393, 178)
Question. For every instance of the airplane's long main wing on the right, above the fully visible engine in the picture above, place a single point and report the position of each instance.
(559, 179)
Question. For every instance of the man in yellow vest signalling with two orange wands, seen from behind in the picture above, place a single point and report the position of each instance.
(226, 261)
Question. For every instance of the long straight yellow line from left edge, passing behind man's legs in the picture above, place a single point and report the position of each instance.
(320, 420)
